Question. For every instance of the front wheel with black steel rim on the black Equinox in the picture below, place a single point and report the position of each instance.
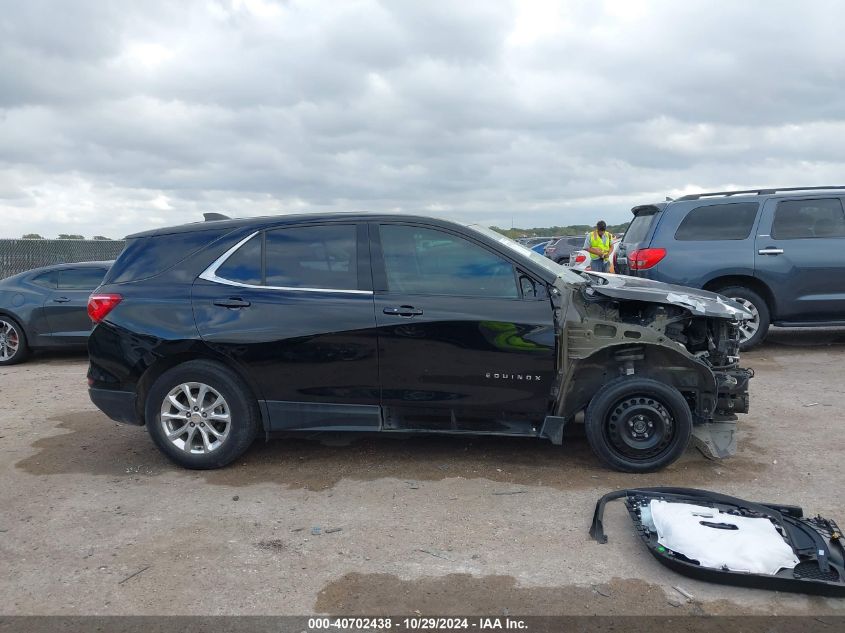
(625, 402)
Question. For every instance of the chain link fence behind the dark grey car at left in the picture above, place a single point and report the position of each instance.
(19, 255)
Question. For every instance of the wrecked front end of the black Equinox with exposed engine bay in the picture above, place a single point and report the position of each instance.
(685, 340)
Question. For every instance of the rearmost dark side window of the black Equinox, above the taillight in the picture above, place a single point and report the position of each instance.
(146, 257)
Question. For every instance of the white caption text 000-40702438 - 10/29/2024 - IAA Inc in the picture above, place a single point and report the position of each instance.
(420, 623)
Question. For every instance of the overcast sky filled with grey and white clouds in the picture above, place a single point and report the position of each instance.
(121, 116)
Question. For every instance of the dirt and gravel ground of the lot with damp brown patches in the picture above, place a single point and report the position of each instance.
(94, 521)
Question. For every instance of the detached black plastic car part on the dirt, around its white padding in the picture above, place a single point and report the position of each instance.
(817, 542)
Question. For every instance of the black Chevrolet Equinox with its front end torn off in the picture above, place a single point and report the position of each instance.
(215, 332)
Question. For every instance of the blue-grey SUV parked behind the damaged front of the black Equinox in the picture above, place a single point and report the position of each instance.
(779, 252)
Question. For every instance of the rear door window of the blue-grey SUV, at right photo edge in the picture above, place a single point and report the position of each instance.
(802, 219)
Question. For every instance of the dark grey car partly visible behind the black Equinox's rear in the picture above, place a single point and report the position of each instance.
(47, 308)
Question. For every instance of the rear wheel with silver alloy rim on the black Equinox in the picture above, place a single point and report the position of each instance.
(221, 417)
